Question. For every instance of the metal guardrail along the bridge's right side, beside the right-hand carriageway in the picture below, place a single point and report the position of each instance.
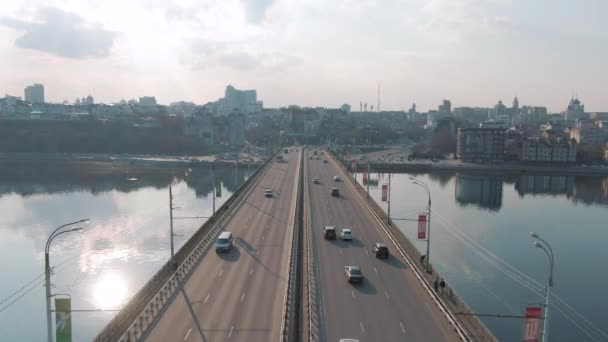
(476, 330)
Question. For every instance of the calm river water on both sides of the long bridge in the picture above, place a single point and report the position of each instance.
(478, 222)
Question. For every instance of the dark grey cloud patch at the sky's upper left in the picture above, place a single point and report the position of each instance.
(62, 34)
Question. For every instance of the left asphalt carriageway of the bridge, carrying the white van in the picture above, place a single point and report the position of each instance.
(238, 296)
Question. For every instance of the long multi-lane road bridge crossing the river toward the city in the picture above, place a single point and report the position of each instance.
(283, 281)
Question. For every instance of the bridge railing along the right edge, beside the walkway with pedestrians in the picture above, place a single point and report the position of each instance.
(476, 330)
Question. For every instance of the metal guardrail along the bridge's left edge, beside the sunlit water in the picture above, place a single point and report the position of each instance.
(145, 307)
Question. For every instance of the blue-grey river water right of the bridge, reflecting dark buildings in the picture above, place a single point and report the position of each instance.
(480, 243)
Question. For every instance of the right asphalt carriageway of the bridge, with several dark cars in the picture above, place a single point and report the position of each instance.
(390, 304)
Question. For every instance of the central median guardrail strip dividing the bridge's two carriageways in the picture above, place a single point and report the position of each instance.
(289, 324)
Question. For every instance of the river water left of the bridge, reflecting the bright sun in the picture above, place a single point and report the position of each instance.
(100, 267)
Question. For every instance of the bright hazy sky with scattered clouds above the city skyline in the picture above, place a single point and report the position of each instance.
(310, 52)
